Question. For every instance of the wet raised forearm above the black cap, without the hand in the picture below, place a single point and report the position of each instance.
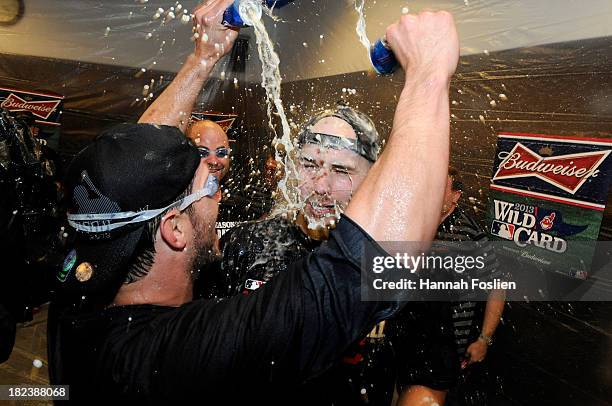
(173, 107)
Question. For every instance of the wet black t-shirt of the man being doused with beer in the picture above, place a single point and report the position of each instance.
(257, 252)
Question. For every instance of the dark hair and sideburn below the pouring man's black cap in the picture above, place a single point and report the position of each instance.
(144, 254)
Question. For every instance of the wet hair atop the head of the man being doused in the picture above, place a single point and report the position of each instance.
(367, 135)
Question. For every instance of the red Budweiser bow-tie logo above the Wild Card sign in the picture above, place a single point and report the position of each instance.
(567, 172)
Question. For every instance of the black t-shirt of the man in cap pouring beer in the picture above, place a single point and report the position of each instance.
(242, 348)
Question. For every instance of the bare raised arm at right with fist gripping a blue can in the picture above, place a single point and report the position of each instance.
(401, 197)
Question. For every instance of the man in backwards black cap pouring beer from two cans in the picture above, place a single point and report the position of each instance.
(144, 206)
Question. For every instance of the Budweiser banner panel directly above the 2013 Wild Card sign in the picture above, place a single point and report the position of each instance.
(566, 169)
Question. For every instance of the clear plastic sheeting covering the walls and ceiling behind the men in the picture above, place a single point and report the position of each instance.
(540, 67)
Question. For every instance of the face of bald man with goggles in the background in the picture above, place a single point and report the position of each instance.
(212, 140)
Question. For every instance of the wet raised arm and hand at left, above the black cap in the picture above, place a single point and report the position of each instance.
(212, 41)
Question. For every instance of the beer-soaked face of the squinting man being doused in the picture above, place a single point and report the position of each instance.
(329, 177)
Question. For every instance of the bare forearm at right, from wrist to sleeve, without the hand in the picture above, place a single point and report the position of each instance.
(401, 197)
